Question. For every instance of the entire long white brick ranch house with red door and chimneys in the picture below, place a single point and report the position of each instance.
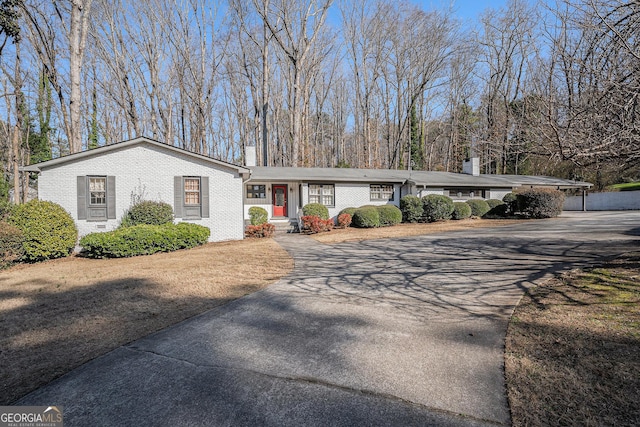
(97, 186)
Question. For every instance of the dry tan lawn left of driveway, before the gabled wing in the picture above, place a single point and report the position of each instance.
(57, 315)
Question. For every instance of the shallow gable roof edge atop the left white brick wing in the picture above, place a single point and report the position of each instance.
(38, 167)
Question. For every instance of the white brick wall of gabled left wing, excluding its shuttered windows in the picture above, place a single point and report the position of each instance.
(151, 170)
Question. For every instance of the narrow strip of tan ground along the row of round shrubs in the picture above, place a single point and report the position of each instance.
(406, 230)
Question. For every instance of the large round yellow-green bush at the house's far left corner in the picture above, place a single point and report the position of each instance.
(48, 230)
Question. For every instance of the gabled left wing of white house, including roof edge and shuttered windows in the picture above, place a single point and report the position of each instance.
(97, 186)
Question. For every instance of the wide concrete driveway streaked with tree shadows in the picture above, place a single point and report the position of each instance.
(403, 331)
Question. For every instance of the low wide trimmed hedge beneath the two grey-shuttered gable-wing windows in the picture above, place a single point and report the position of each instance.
(144, 239)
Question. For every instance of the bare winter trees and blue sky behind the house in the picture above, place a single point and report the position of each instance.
(532, 88)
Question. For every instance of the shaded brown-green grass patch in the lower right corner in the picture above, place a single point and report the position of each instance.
(572, 349)
